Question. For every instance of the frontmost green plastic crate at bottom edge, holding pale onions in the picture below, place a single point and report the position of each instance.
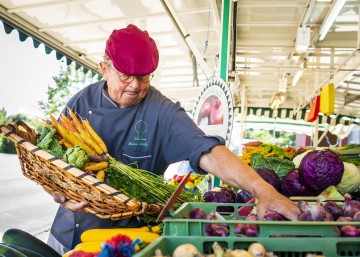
(282, 247)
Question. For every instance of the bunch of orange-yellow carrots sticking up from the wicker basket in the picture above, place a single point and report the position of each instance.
(78, 131)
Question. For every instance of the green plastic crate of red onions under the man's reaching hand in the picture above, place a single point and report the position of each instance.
(178, 226)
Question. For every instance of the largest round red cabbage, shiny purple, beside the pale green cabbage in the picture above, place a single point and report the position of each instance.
(320, 169)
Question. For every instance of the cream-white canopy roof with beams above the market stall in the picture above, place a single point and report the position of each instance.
(188, 34)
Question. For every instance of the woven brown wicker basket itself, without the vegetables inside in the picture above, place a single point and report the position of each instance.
(58, 176)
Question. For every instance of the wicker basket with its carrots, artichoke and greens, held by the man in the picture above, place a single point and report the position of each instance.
(69, 158)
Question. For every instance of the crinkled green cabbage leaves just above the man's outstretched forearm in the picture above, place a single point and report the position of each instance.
(280, 166)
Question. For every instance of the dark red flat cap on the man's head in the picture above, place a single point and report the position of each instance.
(132, 51)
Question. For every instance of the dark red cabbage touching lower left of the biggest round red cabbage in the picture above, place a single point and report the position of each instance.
(291, 185)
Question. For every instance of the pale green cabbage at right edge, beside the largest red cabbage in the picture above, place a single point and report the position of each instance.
(350, 181)
